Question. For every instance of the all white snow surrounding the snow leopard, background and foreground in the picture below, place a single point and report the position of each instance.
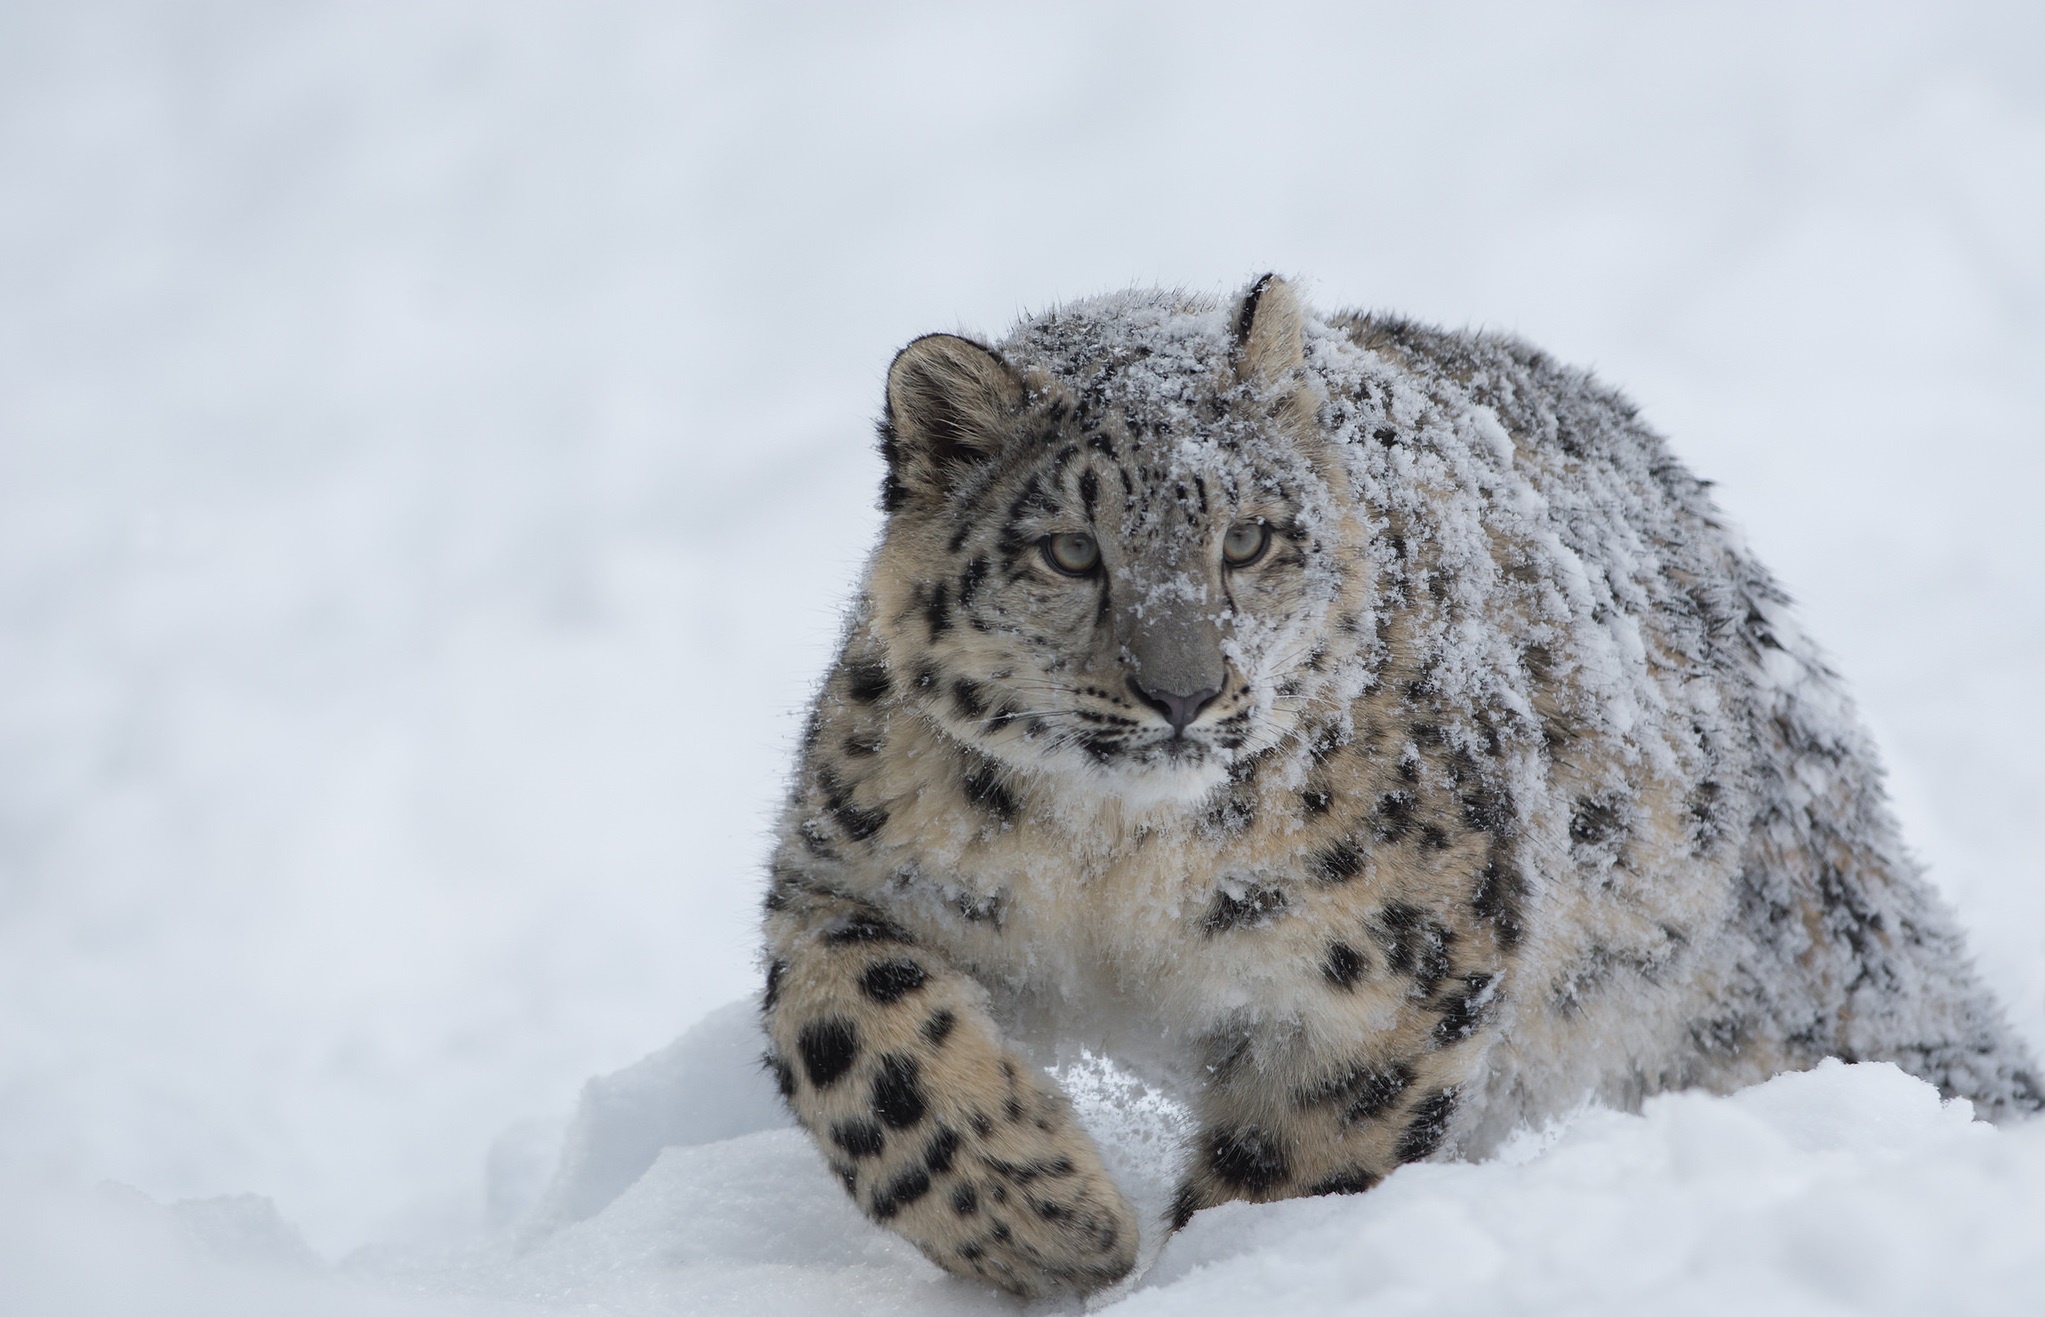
(435, 449)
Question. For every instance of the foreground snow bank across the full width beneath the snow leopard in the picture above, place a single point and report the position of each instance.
(682, 1189)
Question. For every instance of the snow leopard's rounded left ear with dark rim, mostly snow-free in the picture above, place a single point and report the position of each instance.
(952, 404)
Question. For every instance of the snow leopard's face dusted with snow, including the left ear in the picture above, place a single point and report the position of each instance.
(1122, 584)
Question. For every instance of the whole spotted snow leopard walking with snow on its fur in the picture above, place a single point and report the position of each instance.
(1369, 725)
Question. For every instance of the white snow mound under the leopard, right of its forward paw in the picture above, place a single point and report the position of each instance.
(1844, 1189)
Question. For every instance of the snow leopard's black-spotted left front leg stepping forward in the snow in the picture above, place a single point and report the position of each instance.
(936, 1128)
